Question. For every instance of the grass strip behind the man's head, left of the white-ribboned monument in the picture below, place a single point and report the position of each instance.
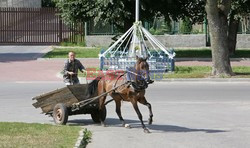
(80, 52)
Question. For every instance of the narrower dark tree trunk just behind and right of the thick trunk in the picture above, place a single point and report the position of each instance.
(232, 34)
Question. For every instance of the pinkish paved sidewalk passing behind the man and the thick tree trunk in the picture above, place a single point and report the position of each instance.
(47, 70)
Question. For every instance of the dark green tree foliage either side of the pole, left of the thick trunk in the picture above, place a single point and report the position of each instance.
(121, 13)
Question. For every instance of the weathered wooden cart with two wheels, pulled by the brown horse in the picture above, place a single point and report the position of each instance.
(70, 100)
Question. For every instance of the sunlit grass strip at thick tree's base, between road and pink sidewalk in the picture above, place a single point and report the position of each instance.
(204, 72)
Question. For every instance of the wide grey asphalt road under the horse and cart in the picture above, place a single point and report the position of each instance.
(189, 115)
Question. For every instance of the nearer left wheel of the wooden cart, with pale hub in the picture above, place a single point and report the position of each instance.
(60, 114)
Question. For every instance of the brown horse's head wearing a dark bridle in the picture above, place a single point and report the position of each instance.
(142, 68)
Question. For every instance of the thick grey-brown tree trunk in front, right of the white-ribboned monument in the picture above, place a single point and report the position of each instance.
(218, 26)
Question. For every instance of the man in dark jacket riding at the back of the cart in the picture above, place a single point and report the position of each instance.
(70, 70)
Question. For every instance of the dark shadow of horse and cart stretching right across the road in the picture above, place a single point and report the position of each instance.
(113, 122)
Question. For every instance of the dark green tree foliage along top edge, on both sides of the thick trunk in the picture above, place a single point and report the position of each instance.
(121, 13)
